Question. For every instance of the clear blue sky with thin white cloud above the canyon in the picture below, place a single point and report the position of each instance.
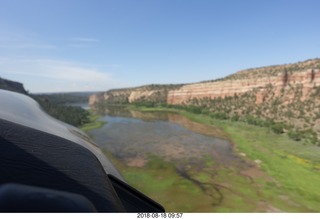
(97, 45)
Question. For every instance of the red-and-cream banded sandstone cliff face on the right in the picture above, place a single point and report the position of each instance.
(230, 87)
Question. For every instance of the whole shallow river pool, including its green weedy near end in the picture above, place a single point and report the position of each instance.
(202, 163)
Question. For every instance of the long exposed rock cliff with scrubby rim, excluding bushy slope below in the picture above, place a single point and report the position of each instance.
(306, 74)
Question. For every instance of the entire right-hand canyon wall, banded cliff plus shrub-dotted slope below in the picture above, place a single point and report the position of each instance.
(287, 95)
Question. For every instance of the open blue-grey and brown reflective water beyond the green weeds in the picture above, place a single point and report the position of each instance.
(132, 135)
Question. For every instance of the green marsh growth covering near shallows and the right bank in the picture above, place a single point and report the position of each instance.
(288, 181)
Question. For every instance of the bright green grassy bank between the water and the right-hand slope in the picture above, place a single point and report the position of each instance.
(292, 168)
